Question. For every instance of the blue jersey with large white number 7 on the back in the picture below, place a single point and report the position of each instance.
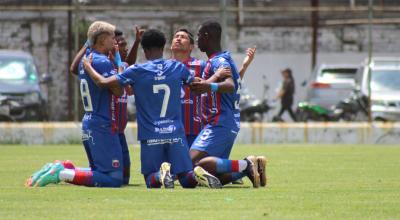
(157, 87)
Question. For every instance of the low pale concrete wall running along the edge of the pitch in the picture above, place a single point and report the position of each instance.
(254, 133)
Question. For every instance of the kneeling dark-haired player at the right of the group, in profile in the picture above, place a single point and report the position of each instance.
(212, 147)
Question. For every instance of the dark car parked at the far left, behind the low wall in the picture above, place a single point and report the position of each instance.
(20, 82)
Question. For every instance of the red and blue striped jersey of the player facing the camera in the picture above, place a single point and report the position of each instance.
(191, 108)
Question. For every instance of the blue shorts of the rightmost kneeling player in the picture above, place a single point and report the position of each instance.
(216, 141)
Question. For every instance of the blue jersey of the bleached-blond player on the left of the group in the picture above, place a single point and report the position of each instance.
(99, 104)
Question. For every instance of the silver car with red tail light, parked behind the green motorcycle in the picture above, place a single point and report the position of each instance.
(329, 84)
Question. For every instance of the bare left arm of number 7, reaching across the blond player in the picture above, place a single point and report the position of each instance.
(101, 81)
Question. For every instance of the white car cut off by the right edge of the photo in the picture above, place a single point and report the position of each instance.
(385, 87)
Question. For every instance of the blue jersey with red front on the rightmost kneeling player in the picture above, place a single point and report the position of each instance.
(221, 109)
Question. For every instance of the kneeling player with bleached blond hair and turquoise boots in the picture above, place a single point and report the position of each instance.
(99, 128)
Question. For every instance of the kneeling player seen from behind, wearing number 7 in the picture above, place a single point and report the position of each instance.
(156, 85)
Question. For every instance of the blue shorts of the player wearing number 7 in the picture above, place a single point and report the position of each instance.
(156, 151)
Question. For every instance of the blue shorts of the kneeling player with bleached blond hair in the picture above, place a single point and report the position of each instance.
(104, 148)
